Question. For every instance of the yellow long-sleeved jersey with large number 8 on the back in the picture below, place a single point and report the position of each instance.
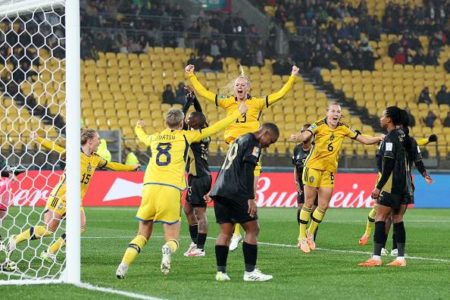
(169, 151)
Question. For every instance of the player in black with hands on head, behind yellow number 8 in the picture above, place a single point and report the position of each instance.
(199, 180)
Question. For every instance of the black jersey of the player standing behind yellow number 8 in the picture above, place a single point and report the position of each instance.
(198, 158)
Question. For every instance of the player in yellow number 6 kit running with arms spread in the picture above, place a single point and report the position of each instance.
(320, 168)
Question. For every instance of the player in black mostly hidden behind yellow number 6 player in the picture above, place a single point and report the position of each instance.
(301, 152)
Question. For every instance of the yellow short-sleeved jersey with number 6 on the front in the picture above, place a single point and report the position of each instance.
(327, 145)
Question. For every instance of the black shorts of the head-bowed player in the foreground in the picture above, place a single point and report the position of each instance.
(231, 211)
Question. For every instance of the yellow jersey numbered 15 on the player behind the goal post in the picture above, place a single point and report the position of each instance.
(88, 165)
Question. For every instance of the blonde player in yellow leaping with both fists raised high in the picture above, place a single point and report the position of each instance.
(248, 122)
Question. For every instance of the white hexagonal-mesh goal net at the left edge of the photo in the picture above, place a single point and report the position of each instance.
(34, 99)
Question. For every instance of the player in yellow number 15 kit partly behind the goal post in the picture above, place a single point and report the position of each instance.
(55, 208)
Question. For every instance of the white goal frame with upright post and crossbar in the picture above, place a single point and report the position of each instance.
(71, 274)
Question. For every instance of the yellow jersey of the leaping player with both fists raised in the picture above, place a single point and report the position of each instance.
(250, 121)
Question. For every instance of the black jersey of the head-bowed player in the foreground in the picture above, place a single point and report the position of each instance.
(235, 179)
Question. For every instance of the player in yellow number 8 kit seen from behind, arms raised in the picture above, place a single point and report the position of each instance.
(164, 181)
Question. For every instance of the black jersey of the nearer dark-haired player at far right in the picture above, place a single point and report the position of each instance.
(392, 147)
